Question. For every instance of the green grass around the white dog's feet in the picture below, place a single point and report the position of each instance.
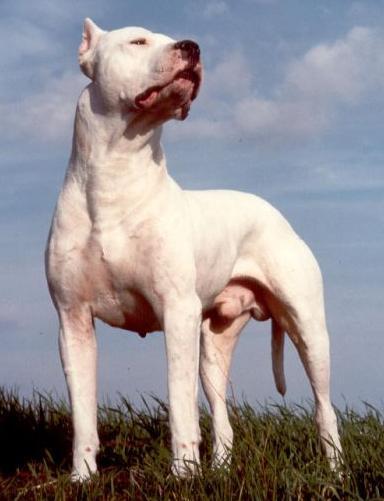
(276, 455)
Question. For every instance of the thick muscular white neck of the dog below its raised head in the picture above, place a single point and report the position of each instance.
(115, 155)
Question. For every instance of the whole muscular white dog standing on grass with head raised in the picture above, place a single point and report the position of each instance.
(130, 247)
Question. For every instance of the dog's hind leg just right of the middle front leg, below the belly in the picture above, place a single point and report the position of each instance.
(218, 340)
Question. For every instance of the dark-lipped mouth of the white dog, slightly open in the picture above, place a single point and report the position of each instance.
(179, 92)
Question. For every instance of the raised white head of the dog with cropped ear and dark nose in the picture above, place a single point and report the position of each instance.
(138, 71)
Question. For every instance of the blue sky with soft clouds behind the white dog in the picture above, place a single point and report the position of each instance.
(291, 109)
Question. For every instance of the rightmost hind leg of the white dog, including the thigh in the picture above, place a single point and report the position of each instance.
(294, 293)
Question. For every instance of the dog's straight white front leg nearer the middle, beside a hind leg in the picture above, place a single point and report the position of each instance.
(182, 320)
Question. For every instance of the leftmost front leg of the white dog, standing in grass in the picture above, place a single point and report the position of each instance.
(78, 355)
